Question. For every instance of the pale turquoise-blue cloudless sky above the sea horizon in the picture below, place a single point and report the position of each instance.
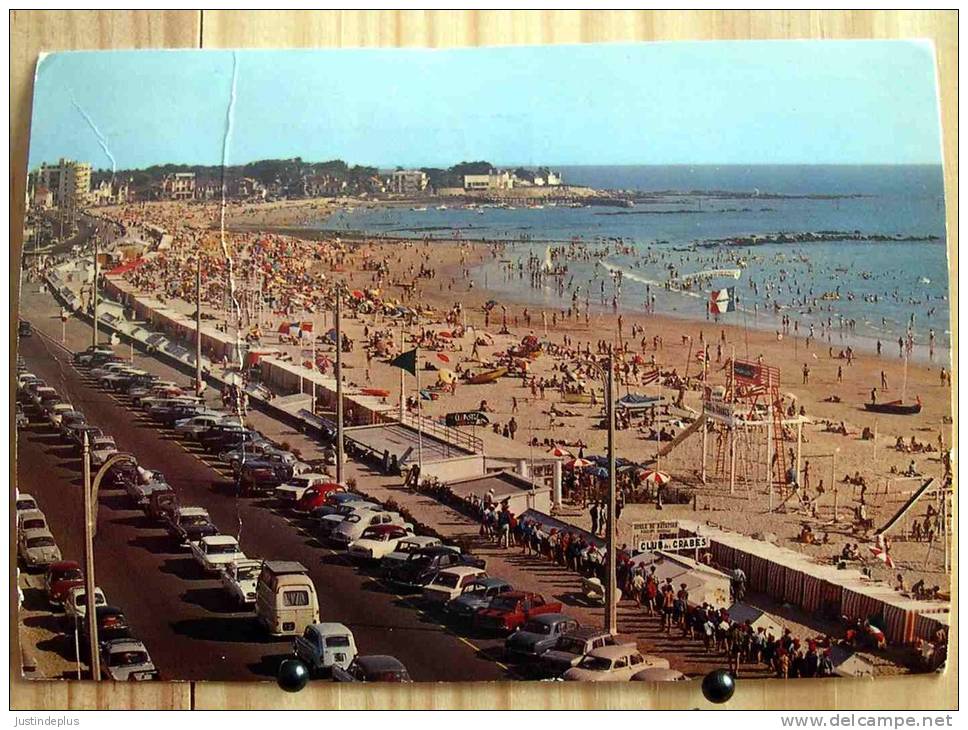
(675, 103)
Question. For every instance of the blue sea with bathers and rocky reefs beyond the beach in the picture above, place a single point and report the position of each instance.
(876, 290)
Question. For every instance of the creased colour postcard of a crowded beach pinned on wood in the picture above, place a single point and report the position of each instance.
(620, 362)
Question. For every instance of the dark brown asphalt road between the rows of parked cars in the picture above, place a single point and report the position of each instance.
(189, 627)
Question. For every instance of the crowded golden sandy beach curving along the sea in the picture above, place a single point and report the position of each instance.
(432, 277)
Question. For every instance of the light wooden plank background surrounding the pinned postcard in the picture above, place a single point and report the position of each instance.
(33, 32)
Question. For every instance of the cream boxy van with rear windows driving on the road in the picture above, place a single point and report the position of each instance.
(285, 598)
